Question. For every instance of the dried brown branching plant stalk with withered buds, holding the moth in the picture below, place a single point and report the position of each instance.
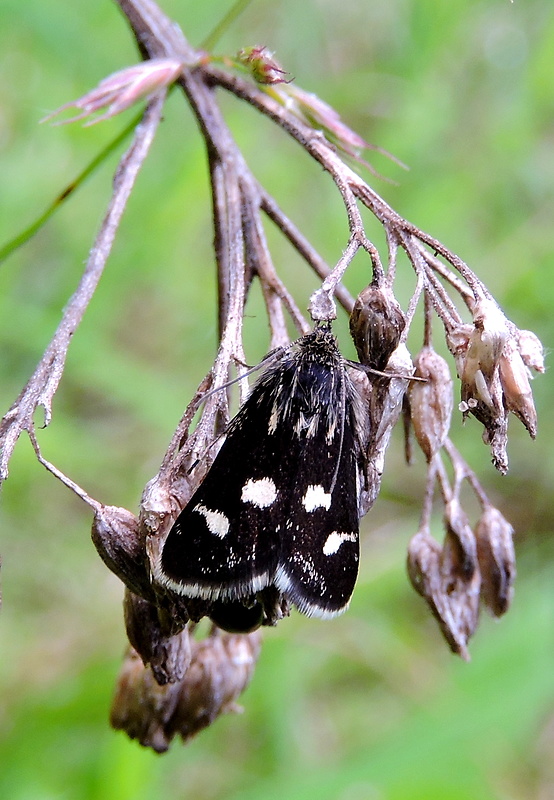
(172, 683)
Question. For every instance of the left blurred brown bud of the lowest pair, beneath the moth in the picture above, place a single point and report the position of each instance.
(141, 707)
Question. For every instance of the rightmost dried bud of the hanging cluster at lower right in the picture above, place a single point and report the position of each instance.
(495, 550)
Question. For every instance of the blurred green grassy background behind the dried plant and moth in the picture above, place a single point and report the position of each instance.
(371, 706)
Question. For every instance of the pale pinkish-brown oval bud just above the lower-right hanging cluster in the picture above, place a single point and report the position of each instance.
(431, 401)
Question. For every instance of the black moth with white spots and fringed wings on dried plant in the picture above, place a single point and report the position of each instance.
(275, 521)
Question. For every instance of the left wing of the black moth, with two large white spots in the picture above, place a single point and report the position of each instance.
(222, 545)
